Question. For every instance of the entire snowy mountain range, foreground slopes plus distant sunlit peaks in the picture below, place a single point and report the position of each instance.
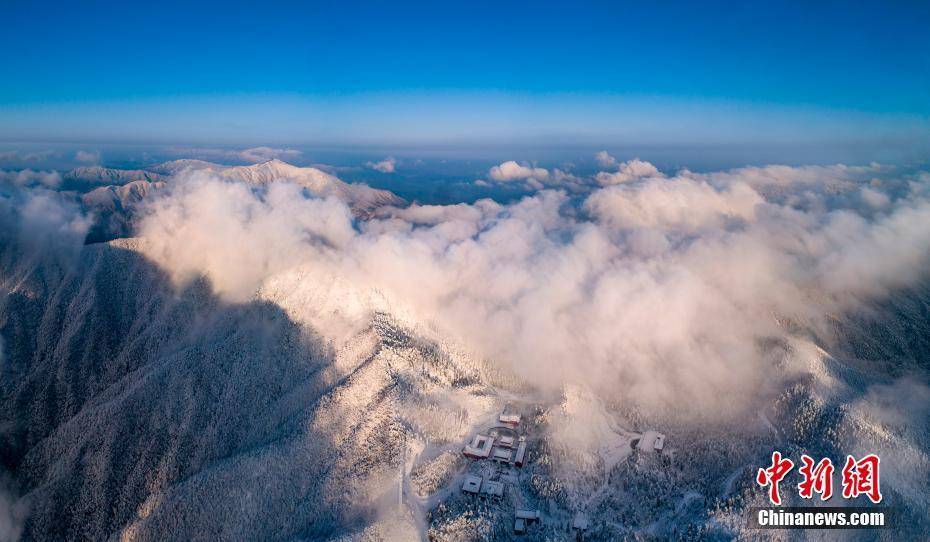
(136, 406)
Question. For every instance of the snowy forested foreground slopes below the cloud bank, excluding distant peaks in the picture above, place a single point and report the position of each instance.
(132, 410)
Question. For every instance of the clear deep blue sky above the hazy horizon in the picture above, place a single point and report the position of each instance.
(460, 74)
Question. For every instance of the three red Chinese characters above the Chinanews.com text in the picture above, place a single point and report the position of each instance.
(859, 477)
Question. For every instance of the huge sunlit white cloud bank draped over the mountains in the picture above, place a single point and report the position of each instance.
(662, 296)
